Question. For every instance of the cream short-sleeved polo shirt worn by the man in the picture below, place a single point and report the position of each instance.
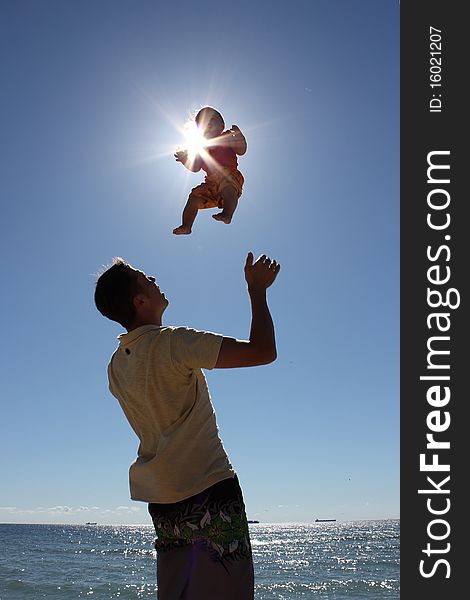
(155, 373)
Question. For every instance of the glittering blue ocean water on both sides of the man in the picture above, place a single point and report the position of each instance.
(331, 561)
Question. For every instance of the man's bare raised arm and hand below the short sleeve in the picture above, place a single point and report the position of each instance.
(260, 349)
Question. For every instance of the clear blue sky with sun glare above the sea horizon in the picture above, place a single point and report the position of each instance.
(93, 96)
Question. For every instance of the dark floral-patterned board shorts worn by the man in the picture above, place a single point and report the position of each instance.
(203, 546)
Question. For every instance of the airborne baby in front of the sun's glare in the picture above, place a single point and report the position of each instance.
(223, 183)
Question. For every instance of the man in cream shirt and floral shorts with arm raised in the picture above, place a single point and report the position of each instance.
(182, 469)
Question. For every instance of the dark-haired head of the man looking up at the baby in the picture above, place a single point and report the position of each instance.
(128, 296)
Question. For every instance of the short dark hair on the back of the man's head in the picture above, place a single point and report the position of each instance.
(115, 290)
